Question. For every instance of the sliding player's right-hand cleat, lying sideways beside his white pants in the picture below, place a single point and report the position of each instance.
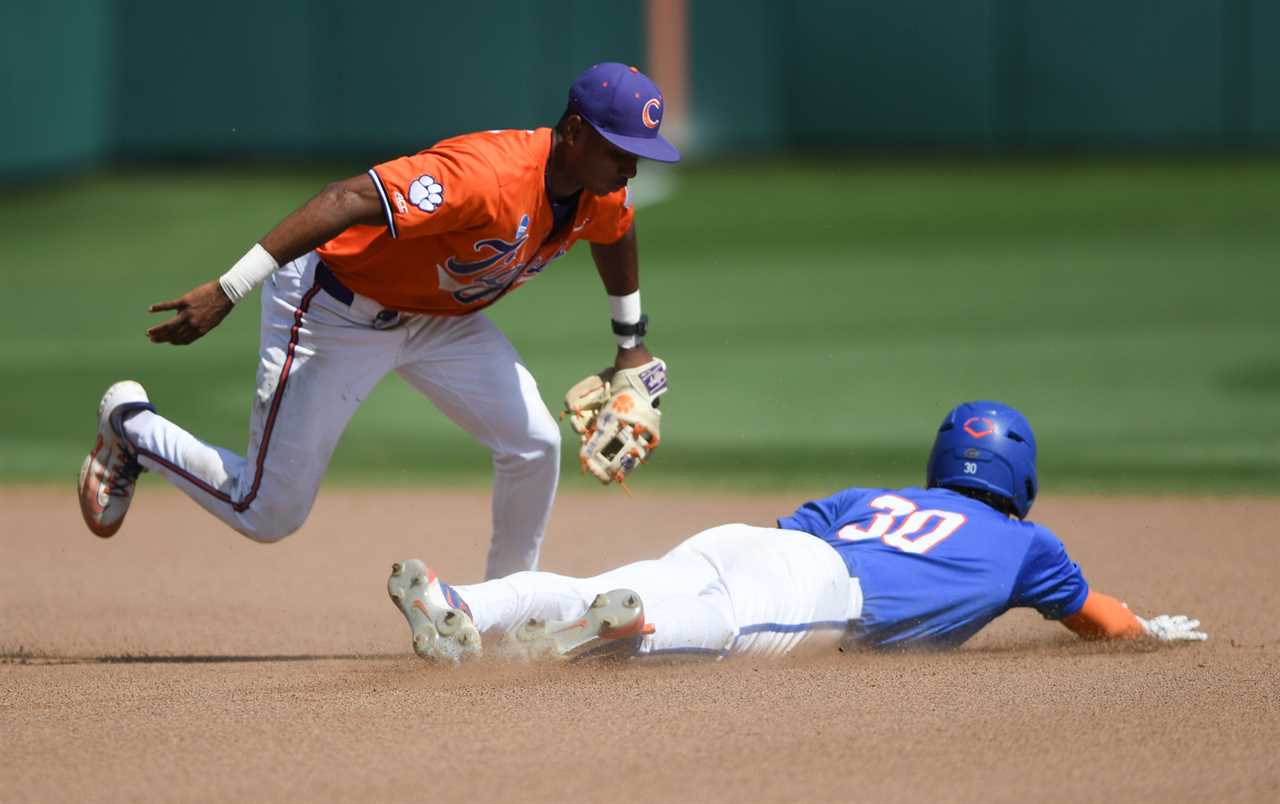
(614, 624)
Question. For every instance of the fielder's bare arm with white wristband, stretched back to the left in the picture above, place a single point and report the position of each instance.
(337, 208)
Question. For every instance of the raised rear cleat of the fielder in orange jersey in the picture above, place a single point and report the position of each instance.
(111, 472)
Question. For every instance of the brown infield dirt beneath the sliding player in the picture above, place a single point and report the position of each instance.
(184, 663)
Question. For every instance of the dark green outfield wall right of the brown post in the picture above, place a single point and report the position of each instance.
(989, 74)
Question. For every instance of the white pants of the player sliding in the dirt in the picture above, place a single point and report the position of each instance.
(733, 590)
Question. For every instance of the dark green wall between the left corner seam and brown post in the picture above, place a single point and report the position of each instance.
(333, 76)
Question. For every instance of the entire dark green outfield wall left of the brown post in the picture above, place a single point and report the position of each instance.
(84, 80)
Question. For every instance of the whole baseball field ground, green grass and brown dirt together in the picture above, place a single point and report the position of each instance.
(819, 319)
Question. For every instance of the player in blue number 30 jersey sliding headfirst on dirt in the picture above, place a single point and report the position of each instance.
(879, 568)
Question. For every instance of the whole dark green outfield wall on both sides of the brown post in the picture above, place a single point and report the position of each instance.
(85, 80)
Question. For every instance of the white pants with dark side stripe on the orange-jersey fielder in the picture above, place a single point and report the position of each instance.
(318, 360)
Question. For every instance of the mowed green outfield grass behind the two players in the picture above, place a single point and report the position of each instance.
(819, 319)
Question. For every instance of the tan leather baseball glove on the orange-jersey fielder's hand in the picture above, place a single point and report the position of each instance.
(616, 414)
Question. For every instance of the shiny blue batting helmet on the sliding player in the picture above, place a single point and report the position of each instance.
(990, 447)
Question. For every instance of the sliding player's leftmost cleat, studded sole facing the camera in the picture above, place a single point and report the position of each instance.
(441, 620)
